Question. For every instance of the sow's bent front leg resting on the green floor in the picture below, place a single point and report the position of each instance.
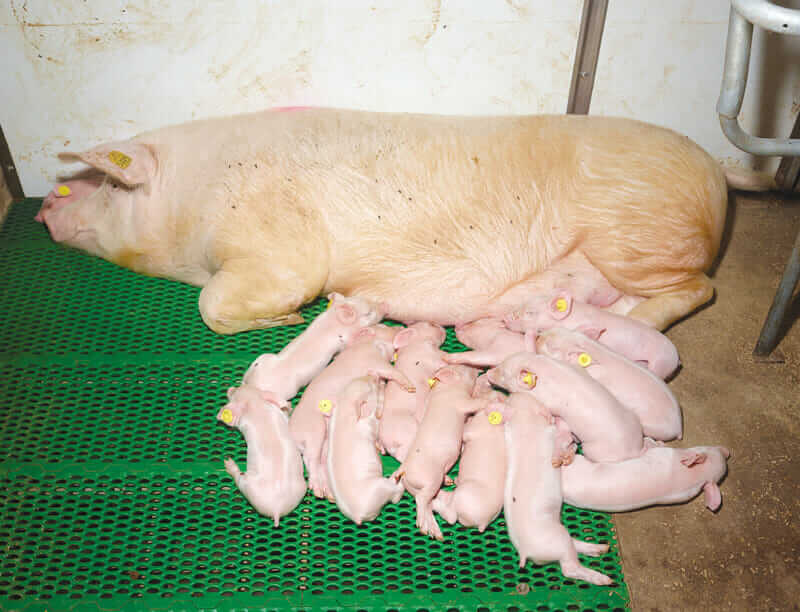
(244, 294)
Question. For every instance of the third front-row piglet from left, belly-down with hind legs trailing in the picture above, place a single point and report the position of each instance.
(438, 441)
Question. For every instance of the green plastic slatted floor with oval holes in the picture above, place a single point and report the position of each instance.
(113, 491)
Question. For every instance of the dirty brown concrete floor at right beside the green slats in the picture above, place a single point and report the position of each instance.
(744, 557)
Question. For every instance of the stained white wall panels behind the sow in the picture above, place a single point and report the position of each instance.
(75, 73)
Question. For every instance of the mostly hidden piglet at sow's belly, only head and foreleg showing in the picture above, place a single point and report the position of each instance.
(492, 342)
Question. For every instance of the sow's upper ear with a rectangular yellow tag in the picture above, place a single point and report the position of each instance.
(131, 163)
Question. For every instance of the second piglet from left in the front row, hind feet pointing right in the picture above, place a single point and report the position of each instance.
(355, 471)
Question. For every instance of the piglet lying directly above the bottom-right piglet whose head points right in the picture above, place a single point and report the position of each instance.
(607, 430)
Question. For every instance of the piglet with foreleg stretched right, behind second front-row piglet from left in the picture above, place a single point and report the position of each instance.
(368, 353)
